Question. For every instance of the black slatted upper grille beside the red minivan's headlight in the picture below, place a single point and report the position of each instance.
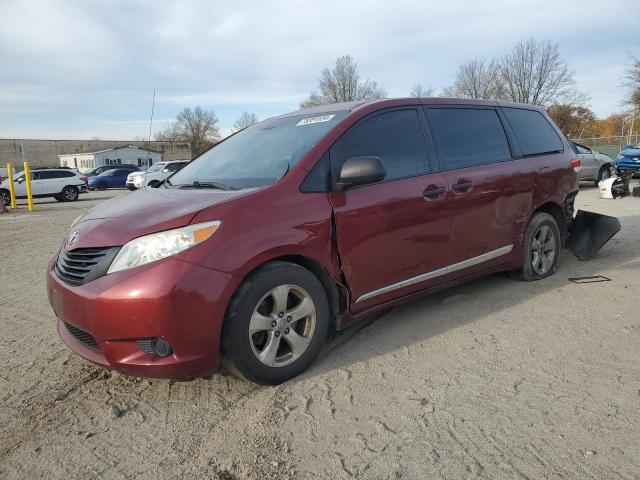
(84, 264)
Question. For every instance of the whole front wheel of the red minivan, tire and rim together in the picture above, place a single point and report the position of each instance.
(276, 323)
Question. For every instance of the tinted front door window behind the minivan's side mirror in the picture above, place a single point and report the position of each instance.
(396, 137)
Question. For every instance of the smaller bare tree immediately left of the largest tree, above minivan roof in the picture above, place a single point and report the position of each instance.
(475, 79)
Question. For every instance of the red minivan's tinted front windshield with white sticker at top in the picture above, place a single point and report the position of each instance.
(258, 155)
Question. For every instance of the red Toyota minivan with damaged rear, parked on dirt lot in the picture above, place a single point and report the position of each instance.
(305, 223)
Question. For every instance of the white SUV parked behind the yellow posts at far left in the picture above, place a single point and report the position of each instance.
(63, 184)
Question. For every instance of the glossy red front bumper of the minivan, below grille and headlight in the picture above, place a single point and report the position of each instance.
(177, 301)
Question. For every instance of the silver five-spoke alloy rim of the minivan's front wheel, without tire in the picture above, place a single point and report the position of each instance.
(282, 325)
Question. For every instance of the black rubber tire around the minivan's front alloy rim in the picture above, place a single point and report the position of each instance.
(240, 347)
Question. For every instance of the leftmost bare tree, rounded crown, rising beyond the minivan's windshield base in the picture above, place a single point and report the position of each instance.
(197, 127)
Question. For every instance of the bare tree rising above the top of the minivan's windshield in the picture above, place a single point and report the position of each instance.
(343, 84)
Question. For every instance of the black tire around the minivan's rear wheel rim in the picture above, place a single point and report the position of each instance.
(530, 271)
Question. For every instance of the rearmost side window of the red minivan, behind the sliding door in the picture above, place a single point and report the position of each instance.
(535, 134)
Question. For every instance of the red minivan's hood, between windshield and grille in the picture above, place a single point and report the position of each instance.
(116, 221)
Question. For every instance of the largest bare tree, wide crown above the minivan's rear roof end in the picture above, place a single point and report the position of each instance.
(535, 73)
